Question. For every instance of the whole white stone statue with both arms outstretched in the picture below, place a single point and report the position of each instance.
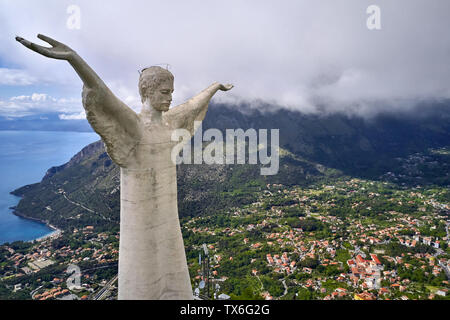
(152, 259)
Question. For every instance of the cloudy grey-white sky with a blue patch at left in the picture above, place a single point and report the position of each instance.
(307, 55)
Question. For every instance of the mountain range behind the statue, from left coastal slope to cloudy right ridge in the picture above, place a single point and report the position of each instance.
(85, 191)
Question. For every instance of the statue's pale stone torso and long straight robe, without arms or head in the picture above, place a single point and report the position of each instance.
(150, 229)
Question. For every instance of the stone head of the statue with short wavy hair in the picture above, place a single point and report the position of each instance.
(156, 85)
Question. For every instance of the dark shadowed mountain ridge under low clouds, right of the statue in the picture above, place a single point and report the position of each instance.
(357, 146)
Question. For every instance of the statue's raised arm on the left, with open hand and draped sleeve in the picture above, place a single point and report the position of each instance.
(113, 120)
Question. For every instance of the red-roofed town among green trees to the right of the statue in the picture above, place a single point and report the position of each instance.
(355, 239)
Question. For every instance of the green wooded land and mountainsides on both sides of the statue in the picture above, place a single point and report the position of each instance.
(345, 188)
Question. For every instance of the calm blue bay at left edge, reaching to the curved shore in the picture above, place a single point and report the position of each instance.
(45, 147)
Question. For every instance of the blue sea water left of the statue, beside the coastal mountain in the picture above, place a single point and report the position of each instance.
(25, 157)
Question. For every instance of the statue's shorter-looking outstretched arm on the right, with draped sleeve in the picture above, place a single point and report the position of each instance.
(184, 115)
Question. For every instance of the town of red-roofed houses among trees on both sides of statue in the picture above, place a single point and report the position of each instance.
(350, 239)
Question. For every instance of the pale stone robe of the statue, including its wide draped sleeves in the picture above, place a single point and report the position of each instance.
(152, 259)
